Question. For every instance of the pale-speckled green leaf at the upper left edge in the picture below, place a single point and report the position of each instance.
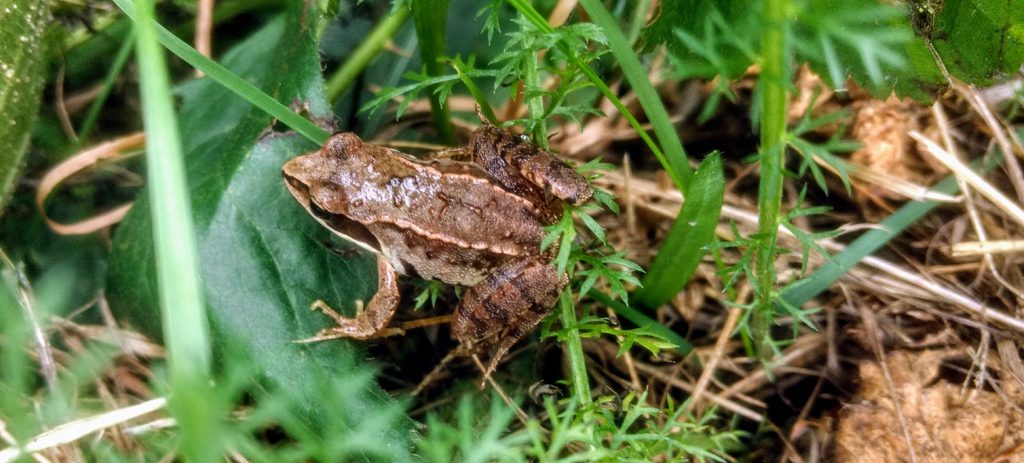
(23, 71)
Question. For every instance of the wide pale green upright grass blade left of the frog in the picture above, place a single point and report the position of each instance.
(182, 303)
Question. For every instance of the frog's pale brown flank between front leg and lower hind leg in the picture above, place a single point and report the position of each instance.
(418, 257)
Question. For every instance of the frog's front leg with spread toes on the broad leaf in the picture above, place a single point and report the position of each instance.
(372, 322)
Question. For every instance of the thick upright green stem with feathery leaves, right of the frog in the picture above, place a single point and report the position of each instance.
(774, 86)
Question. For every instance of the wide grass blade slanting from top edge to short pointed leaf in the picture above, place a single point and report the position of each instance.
(675, 162)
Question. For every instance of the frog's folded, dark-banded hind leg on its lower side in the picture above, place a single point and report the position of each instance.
(506, 306)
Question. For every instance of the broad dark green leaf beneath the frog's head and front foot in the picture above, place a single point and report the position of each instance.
(264, 261)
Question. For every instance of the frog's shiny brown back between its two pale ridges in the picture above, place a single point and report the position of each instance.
(453, 202)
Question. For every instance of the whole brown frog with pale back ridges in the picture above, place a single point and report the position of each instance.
(476, 221)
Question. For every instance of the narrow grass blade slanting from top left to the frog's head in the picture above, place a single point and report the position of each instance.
(232, 81)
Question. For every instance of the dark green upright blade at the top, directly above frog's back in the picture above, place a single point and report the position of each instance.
(431, 18)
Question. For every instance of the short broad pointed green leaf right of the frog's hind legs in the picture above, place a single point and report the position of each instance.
(691, 234)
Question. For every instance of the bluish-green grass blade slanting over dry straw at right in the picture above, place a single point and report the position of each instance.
(869, 243)
